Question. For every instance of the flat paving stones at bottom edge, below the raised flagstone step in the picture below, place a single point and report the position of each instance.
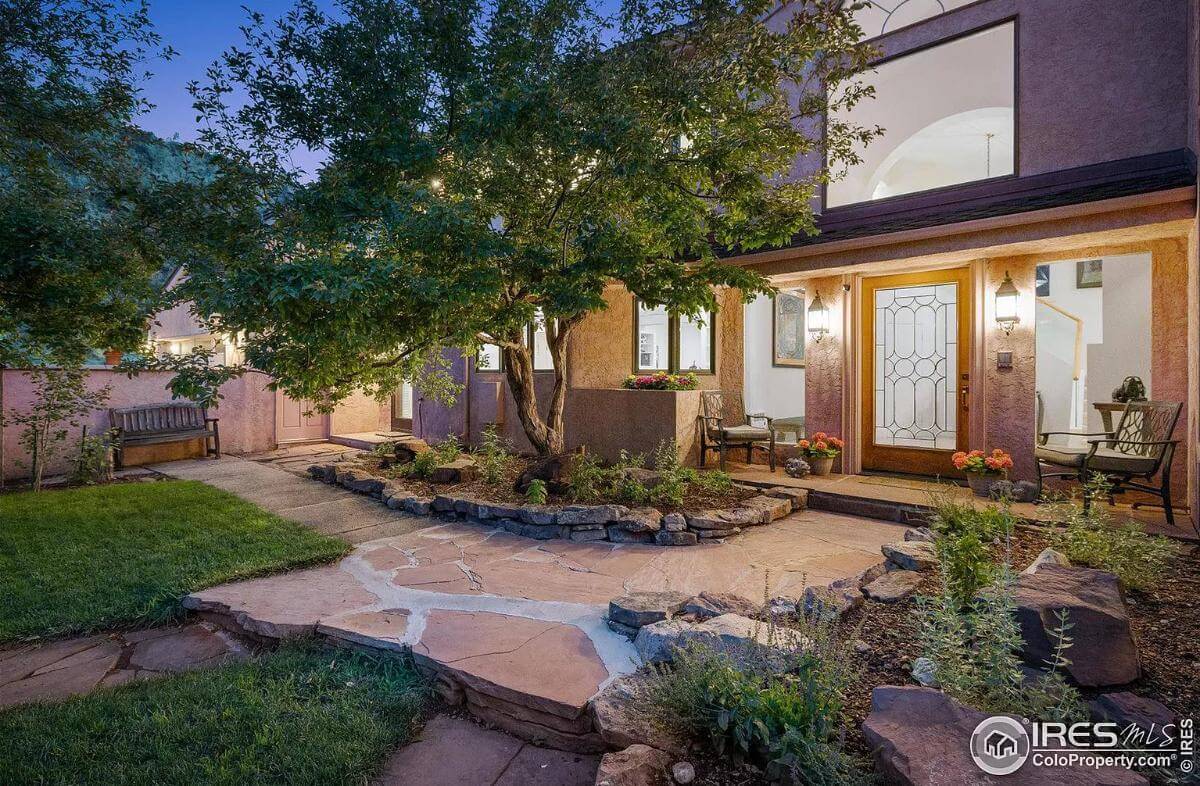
(453, 752)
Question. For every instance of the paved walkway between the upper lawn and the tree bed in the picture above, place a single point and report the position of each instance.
(272, 485)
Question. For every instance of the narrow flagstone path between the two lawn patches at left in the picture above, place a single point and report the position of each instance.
(58, 670)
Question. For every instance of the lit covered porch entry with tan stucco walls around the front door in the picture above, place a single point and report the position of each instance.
(976, 382)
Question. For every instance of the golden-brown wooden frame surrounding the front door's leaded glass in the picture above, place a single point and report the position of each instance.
(911, 460)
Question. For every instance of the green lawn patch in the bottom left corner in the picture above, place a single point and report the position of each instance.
(301, 716)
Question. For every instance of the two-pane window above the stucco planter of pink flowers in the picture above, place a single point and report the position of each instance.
(664, 343)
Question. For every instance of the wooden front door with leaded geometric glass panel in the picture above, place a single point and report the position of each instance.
(916, 334)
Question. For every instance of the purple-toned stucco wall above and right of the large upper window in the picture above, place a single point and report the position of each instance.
(1077, 62)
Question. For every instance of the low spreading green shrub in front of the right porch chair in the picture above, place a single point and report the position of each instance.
(1094, 538)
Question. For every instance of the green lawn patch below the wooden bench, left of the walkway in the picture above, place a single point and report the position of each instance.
(123, 555)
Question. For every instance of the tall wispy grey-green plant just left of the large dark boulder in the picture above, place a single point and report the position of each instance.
(975, 647)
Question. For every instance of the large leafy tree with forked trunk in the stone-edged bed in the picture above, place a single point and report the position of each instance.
(485, 164)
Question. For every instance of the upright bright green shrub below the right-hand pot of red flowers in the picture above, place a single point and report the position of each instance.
(962, 537)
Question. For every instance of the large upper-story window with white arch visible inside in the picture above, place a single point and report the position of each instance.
(947, 115)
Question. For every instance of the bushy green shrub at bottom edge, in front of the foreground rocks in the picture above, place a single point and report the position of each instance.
(748, 705)
